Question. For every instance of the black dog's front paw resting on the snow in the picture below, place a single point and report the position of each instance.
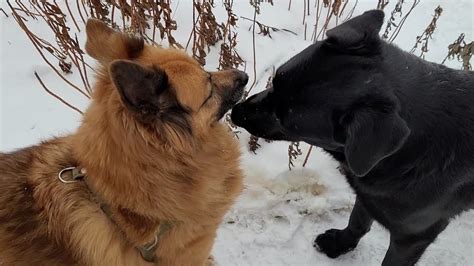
(334, 243)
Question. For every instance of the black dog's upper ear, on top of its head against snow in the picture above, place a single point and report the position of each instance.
(357, 32)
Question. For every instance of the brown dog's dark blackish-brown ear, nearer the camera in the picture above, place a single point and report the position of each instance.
(140, 87)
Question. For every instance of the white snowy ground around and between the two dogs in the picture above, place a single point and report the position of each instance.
(277, 217)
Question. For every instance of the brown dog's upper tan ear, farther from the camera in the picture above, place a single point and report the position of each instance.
(105, 45)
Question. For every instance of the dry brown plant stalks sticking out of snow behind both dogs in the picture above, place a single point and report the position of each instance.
(153, 20)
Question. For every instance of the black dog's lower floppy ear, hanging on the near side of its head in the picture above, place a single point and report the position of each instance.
(373, 132)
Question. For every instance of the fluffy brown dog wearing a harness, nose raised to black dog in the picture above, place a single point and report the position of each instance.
(153, 170)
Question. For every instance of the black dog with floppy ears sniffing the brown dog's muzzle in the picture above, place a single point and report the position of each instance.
(401, 128)
